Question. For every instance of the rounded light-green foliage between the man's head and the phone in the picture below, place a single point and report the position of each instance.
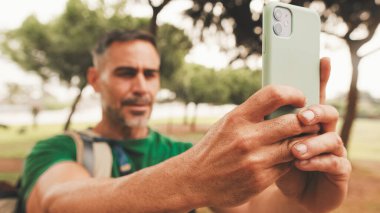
(198, 84)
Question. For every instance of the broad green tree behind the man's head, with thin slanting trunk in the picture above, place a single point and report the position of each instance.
(62, 46)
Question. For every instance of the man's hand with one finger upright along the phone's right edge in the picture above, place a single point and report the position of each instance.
(324, 184)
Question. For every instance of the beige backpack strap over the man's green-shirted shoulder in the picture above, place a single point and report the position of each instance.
(95, 156)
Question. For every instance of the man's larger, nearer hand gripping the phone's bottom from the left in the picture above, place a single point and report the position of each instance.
(242, 154)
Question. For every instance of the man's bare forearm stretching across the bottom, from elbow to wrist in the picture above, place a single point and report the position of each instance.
(160, 188)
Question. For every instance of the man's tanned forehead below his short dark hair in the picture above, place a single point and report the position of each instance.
(136, 53)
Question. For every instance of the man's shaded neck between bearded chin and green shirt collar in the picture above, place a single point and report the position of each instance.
(118, 132)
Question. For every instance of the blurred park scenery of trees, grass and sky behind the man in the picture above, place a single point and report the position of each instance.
(211, 62)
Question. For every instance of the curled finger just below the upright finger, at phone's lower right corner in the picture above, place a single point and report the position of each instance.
(325, 114)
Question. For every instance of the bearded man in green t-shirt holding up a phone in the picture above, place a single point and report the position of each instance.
(294, 163)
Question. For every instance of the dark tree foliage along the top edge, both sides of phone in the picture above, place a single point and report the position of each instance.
(246, 23)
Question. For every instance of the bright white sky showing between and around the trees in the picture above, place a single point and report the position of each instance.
(12, 14)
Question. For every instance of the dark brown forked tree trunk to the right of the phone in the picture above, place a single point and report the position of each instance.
(352, 98)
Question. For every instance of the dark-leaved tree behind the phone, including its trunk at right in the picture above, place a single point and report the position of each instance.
(246, 22)
